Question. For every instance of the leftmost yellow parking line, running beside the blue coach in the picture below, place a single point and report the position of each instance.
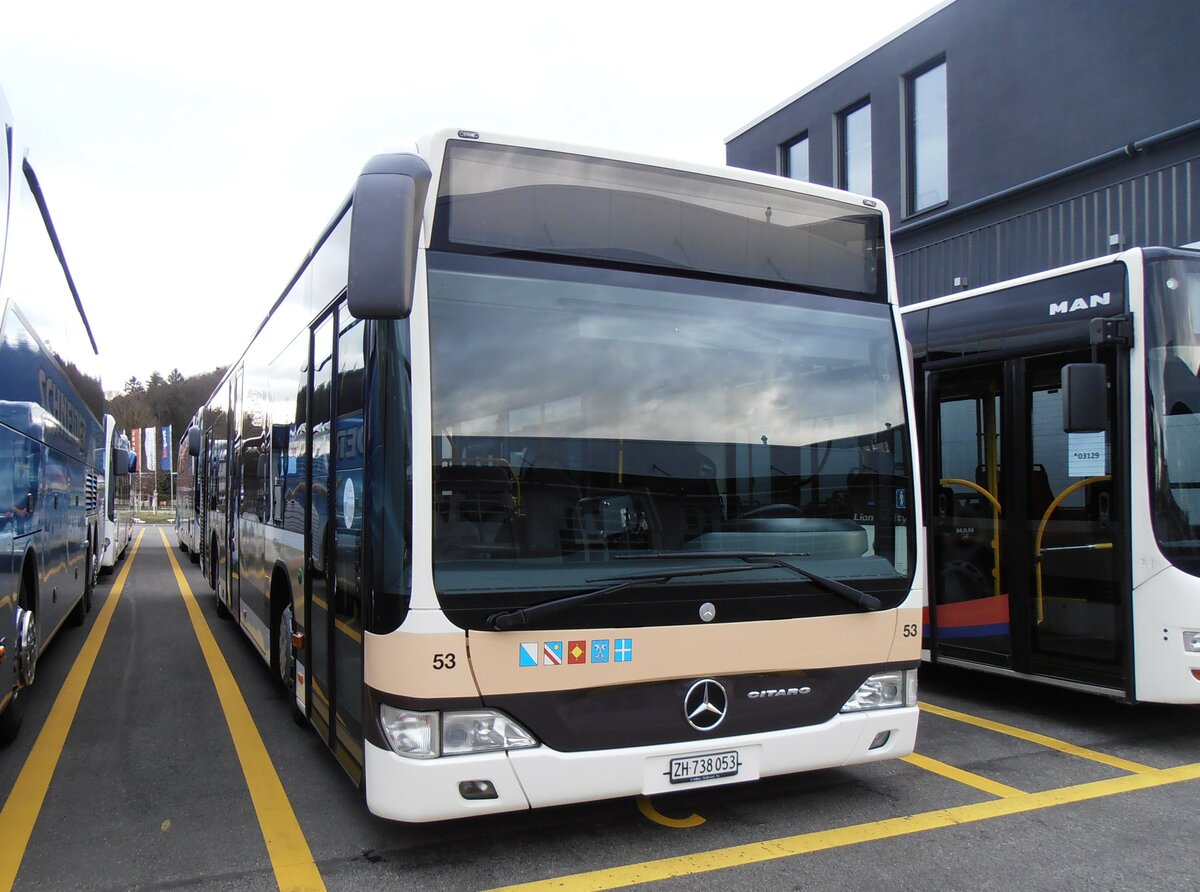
(26, 799)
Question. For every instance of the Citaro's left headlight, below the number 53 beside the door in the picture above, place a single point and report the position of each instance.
(429, 735)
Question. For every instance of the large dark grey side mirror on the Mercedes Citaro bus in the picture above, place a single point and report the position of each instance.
(386, 225)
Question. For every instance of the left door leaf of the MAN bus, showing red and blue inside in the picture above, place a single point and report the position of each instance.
(970, 613)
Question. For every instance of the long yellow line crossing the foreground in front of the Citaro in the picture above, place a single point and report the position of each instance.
(821, 841)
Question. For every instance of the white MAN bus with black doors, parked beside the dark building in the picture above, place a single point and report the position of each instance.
(1061, 447)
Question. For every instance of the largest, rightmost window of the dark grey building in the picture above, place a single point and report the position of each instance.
(928, 173)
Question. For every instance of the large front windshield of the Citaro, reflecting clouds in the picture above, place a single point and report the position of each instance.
(591, 424)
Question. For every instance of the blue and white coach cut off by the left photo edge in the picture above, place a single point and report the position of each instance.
(51, 436)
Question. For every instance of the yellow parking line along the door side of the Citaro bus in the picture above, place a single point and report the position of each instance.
(286, 845)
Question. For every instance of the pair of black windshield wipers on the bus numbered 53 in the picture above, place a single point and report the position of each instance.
(508, 620)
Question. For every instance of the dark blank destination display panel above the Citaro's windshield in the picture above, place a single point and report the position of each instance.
(508, 201)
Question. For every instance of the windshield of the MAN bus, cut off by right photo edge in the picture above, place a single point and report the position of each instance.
(1173, 357)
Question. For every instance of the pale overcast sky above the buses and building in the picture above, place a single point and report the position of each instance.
(191, 154)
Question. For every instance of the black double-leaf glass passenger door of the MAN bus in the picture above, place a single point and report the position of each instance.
(1028, 570)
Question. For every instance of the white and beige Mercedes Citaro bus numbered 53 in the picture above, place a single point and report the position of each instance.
(556, 476)
